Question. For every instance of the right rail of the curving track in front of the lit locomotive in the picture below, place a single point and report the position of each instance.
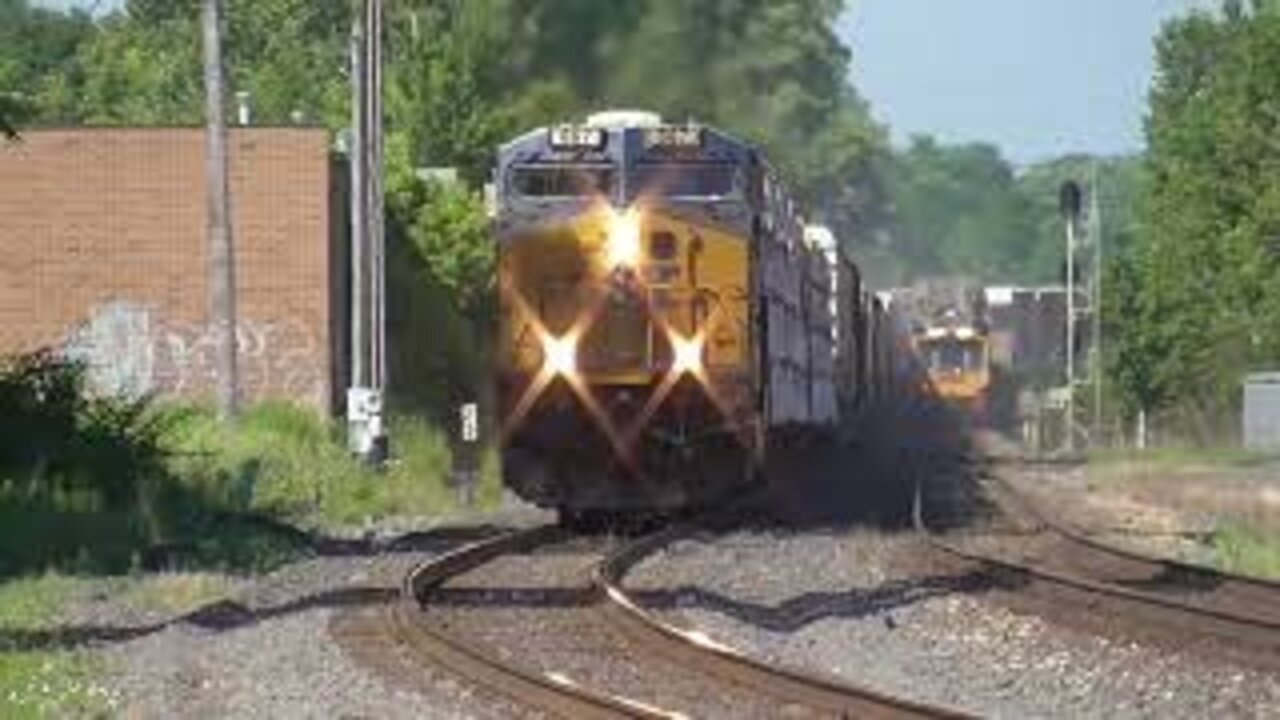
(696, 650)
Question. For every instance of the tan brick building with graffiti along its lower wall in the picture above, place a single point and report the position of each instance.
(103, 256)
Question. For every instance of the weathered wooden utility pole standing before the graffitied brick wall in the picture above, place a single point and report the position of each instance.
(222, 257)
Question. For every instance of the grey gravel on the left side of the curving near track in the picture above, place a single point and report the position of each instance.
(305, 641)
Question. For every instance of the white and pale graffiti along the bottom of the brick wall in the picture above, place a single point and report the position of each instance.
(129, 349)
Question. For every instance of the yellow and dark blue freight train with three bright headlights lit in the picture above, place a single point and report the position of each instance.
(665, 325)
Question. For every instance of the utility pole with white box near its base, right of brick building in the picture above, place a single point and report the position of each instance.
(367, 432)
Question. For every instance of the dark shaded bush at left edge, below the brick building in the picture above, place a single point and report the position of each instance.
(92, 477)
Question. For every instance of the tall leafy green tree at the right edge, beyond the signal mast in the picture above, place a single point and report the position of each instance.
(1200, 289)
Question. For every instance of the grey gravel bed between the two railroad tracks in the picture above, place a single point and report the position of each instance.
(856, 605)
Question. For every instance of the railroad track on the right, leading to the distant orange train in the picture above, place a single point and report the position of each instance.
(1177, 603)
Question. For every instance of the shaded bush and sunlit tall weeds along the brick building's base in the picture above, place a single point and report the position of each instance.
(104, 485)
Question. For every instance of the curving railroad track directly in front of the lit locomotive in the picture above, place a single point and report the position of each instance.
(669, 672)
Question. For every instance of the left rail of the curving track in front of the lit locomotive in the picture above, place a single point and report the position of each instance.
(412, 618)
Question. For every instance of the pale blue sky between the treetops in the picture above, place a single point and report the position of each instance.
(1036, 78)
